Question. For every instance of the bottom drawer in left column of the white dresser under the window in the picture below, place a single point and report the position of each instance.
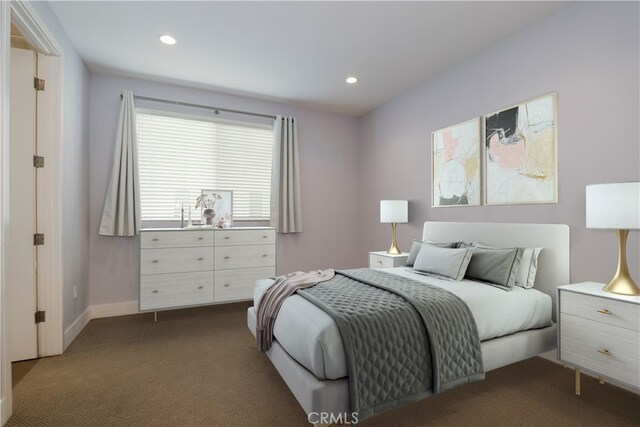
(175, 289)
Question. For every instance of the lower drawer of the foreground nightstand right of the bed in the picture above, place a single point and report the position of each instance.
(583, 342)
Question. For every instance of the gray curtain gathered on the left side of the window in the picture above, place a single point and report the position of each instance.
(121, 212)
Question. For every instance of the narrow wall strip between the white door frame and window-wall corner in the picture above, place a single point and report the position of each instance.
(74, 166)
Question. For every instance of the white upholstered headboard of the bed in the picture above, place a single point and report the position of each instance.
(553, 262)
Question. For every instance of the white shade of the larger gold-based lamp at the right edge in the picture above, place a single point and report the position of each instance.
(614, 206)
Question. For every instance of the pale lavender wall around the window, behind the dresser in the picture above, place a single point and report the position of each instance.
(328, 157)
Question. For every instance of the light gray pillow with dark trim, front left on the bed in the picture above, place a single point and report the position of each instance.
(443, 261)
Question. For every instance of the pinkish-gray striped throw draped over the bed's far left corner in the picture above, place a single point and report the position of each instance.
(272, 300)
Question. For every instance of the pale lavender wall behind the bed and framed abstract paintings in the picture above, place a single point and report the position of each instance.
(589, 54)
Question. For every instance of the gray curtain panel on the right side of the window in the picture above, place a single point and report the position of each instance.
(286, 210)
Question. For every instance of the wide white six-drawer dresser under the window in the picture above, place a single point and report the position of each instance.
(194, 266)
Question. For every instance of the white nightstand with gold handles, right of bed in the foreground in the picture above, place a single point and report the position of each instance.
(599, 332)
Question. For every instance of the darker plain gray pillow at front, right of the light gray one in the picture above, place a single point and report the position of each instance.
(495, 265)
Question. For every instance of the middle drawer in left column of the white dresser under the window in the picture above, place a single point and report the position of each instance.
(176, 260)
